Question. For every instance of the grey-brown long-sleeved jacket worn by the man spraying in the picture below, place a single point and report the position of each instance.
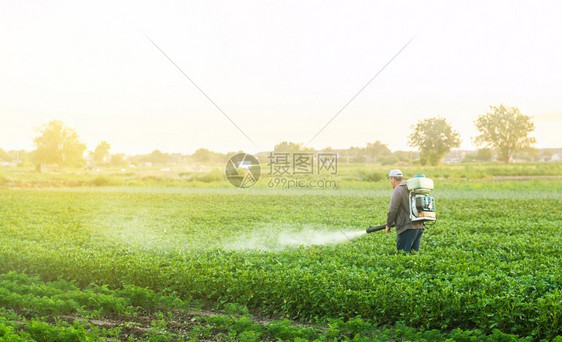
(399, 210)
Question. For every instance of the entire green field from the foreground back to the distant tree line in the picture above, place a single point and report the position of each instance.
(154, 259)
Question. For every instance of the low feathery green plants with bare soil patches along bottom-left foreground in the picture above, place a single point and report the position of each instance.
(89, 314)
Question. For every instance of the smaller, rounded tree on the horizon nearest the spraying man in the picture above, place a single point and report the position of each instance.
(434, 138)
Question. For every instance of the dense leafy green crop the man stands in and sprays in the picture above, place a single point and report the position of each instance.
(488, 263)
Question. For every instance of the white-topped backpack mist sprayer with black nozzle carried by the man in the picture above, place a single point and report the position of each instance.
(421, 205)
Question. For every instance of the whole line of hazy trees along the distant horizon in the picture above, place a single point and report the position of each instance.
(504, 130)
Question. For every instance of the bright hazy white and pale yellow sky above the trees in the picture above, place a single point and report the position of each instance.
(279, 69)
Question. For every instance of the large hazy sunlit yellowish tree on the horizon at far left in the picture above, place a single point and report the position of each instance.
(58, 144)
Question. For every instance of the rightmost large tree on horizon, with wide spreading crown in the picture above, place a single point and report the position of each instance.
(505, 130)
